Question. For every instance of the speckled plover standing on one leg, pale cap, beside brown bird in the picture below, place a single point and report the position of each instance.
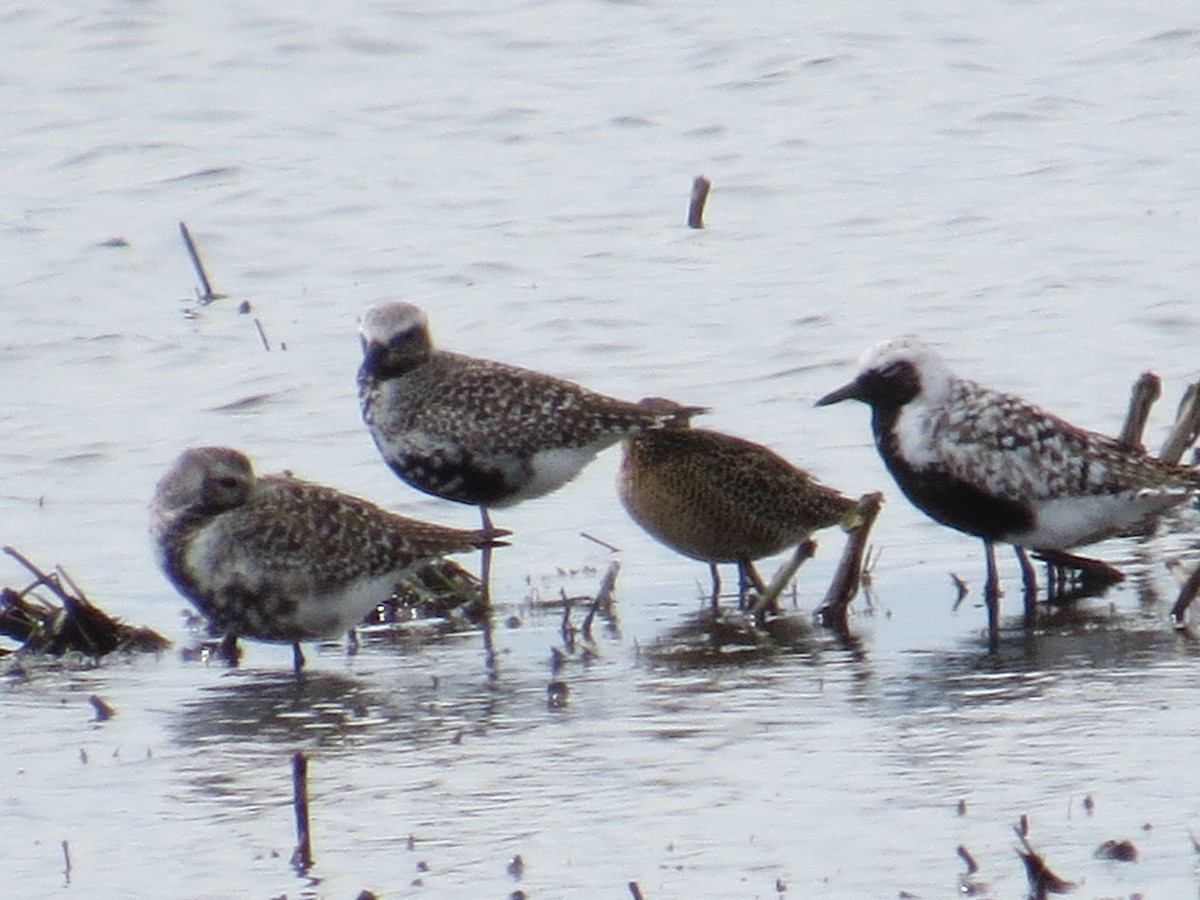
(478, 431)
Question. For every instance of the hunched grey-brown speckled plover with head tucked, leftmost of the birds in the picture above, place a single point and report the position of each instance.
(275, 559)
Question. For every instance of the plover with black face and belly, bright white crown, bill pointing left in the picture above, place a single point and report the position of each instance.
(998, 467)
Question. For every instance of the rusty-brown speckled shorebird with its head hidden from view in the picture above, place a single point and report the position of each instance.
(721, 499)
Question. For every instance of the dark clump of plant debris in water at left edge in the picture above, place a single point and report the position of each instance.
(73, 625)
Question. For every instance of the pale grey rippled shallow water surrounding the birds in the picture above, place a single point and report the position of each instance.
(1010, 181)
